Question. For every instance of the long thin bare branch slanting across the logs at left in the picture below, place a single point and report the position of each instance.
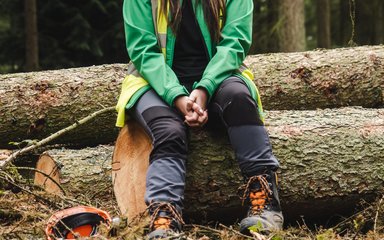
(44, 141)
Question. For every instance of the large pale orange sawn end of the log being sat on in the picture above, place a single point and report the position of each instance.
(129, 166)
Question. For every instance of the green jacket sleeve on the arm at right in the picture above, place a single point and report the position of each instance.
(233, 47)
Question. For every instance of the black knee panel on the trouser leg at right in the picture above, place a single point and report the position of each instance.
(237, 104)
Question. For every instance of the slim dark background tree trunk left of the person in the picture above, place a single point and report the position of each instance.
(31, 36)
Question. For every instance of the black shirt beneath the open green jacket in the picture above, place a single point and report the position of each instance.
(190, 55)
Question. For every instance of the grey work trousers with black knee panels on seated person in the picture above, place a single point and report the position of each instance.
(231, 105)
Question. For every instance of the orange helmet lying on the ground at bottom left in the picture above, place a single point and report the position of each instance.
(80, 221)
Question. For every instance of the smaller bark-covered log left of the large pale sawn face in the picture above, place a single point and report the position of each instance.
(85, 174)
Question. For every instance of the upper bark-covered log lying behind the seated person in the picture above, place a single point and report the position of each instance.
(34, 105)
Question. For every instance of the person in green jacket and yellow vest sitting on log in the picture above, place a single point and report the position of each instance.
(187, 67)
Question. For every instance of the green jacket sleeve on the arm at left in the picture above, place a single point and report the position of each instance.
(144, 51)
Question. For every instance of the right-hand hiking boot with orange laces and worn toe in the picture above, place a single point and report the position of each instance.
(264, 214)
